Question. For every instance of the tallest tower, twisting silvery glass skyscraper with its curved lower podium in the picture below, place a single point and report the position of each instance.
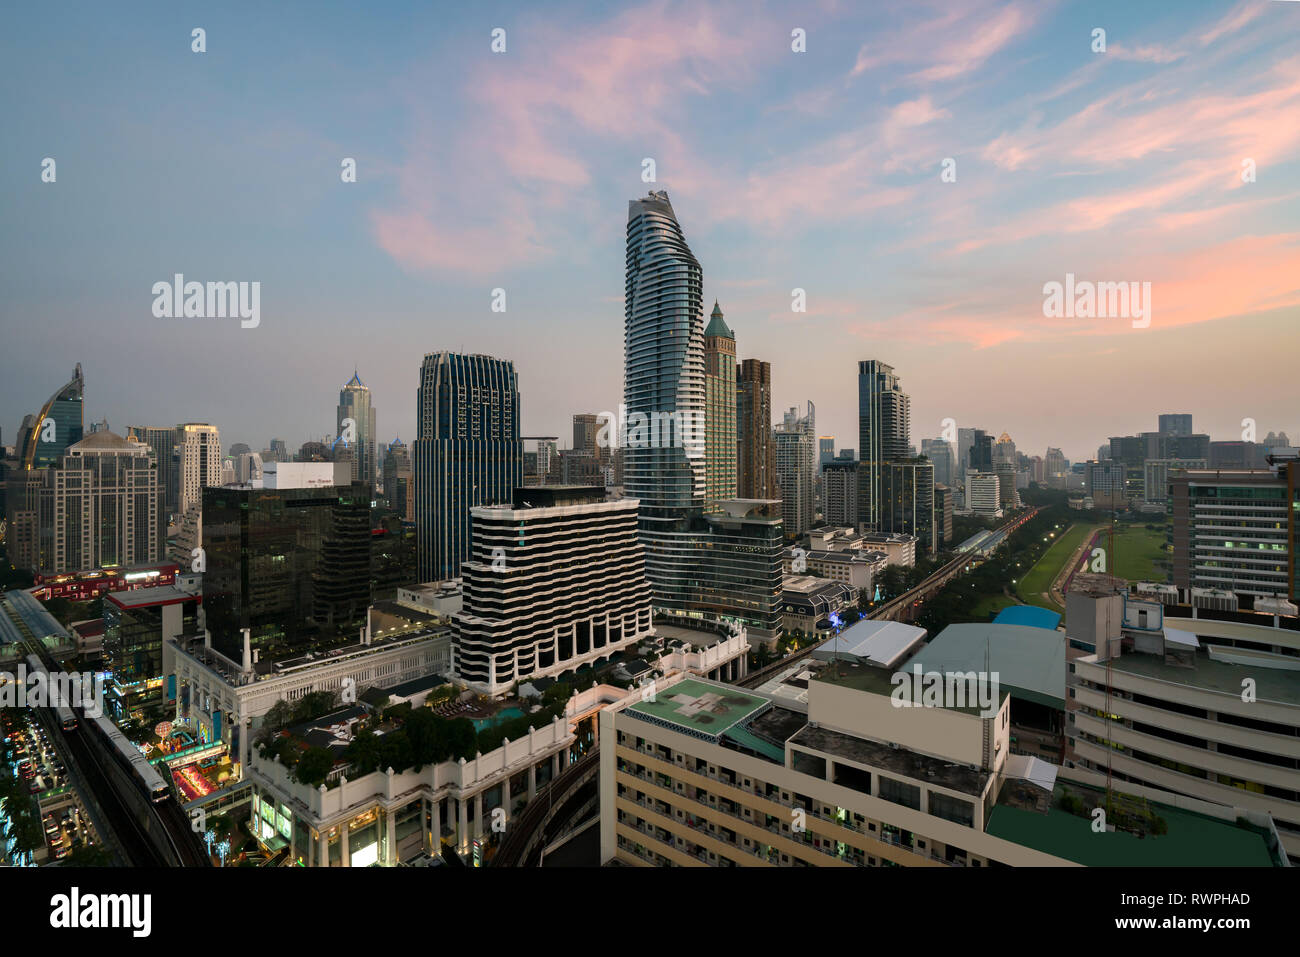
(727, 565)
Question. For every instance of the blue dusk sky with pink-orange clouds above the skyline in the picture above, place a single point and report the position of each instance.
(920, 171)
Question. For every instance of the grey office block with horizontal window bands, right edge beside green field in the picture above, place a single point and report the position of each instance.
(1237, 530)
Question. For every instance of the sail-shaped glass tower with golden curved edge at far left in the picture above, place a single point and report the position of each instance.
(42, 441)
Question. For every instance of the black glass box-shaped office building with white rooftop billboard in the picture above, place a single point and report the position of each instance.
(288, 560)
